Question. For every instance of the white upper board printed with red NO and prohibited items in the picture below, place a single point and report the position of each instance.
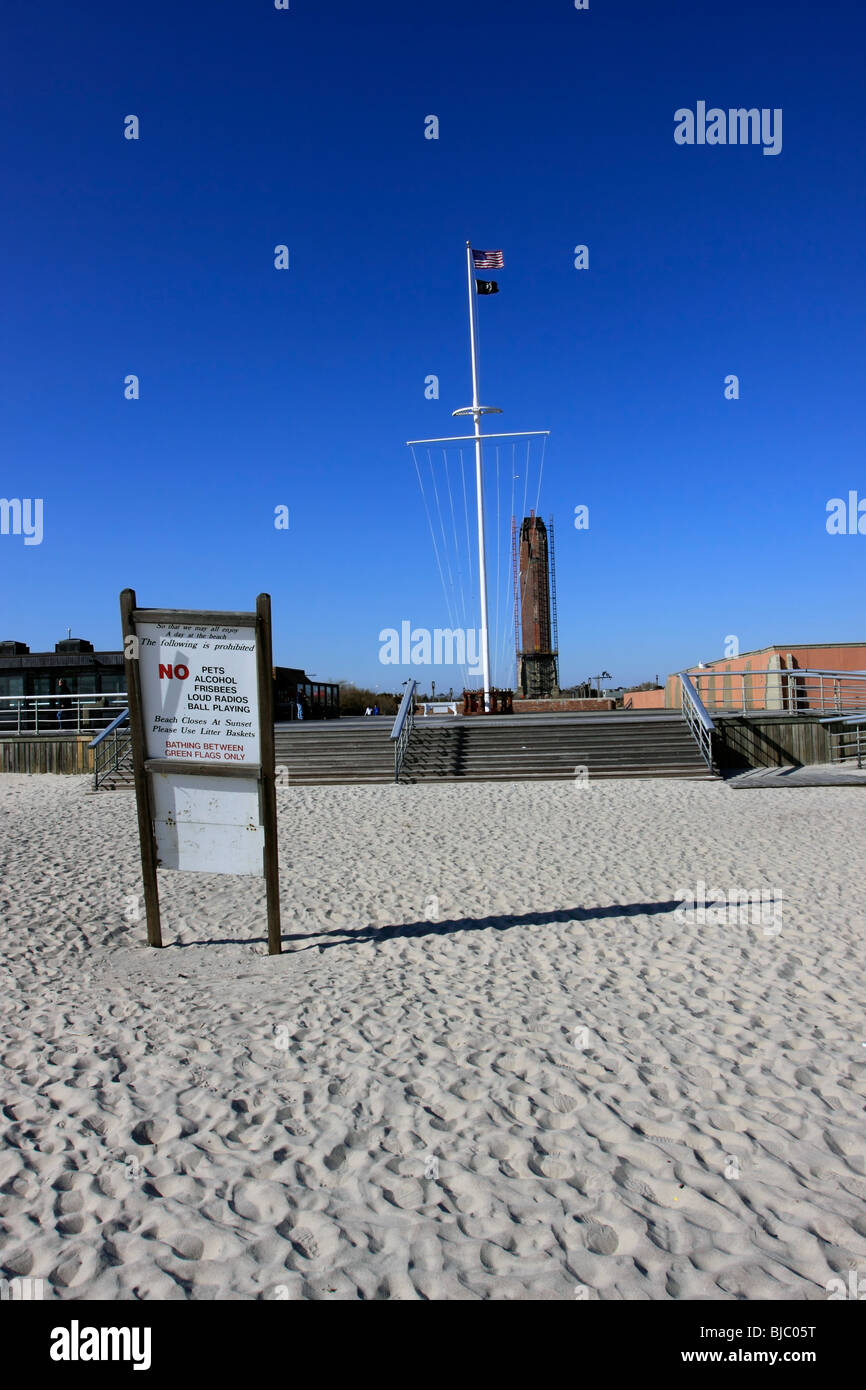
(199, 693)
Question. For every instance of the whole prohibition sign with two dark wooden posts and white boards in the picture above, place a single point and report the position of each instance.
(202, 722)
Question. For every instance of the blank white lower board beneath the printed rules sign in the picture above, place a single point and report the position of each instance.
(205, 824)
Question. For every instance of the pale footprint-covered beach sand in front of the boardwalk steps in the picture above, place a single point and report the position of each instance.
(434, 1124)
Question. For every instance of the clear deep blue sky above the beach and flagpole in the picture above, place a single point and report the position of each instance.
(300, 389)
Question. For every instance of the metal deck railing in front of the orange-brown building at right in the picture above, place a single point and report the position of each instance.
(779, 692)
